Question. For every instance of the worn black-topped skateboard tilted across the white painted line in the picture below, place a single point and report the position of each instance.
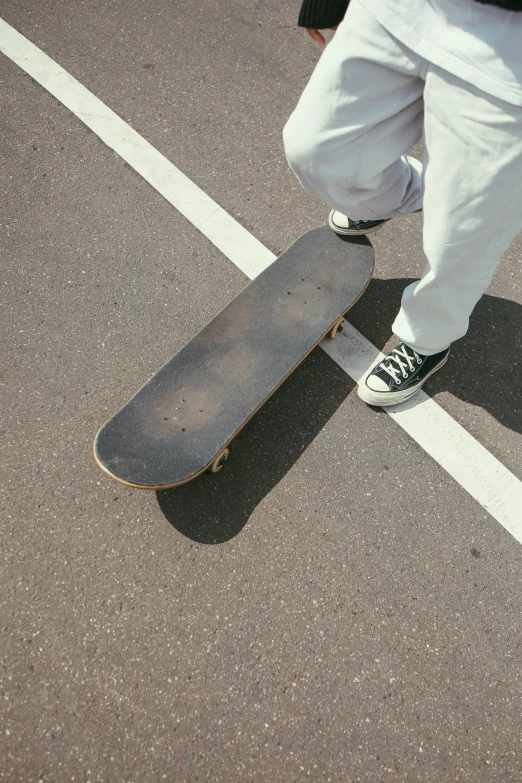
(182, 421)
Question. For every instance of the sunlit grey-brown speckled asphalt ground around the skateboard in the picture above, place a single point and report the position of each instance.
(332, 606)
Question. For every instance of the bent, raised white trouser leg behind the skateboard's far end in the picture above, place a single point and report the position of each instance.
(360, 112)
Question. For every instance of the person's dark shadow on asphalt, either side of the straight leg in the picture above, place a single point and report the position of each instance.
(484, 368)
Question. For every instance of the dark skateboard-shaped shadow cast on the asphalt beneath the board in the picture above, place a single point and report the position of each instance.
(214, 508)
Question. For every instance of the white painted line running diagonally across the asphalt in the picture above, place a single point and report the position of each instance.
(485, 478)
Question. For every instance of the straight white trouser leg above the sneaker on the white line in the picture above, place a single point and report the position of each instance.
(472, 207)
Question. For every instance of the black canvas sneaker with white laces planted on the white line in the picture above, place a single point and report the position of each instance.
(399, 375)
